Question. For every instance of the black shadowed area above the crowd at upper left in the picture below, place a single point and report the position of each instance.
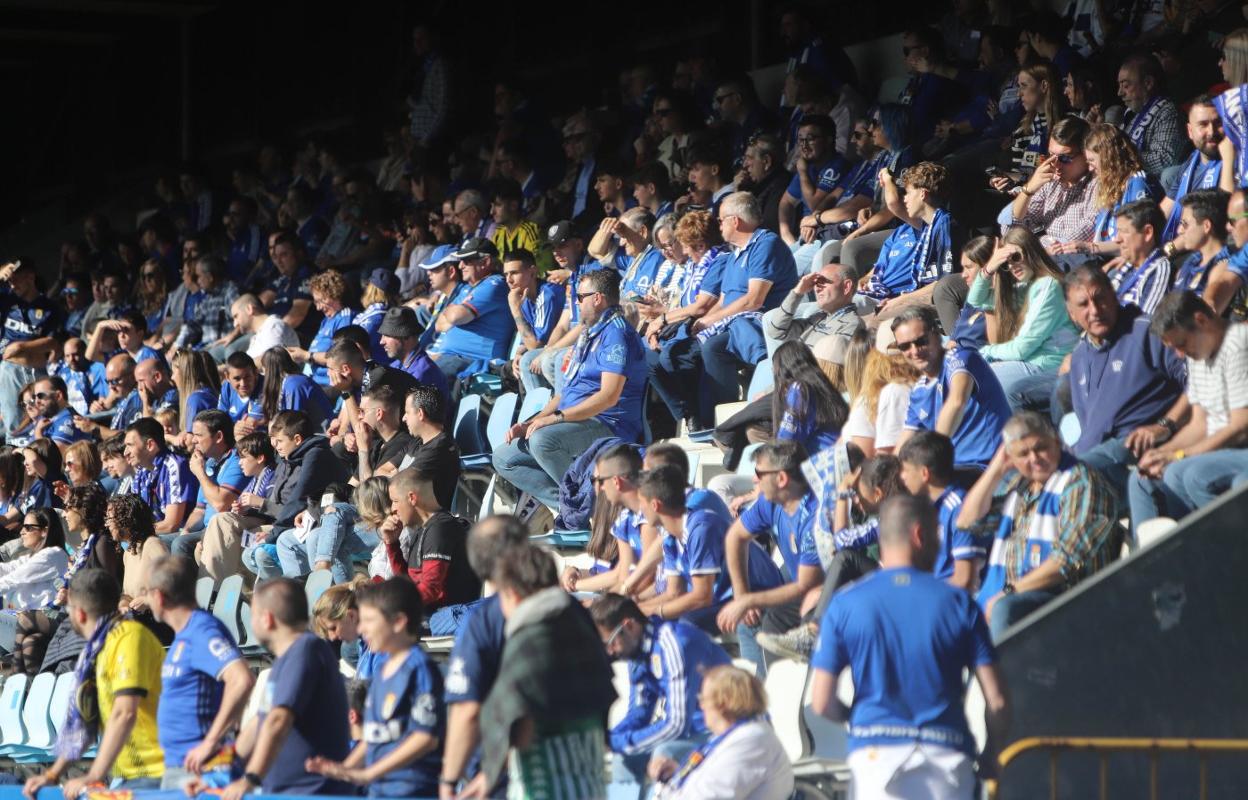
(93, 89)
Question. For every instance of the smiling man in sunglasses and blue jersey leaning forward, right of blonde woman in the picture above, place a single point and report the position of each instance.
(958, 394)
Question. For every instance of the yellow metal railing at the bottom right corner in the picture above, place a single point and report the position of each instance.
(1108, 746)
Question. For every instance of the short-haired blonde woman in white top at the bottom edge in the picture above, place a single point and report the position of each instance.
(744, 757)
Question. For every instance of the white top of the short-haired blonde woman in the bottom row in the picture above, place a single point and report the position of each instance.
(749, 764)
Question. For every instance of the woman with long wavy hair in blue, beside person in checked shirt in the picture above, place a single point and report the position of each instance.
(1121, 179)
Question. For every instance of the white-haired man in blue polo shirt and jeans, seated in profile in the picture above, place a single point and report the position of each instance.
(758, 276)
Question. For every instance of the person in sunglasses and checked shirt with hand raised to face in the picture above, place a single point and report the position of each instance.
(1059, 200)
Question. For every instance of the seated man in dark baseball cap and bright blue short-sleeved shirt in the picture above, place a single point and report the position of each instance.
(477, 328)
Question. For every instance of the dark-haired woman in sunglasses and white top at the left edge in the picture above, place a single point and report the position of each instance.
(29, 585)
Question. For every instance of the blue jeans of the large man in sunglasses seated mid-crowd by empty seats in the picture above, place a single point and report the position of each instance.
(537, 465)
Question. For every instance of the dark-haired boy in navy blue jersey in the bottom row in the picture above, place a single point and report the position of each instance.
(405, 717)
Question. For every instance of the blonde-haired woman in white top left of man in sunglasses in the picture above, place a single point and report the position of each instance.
(879, 388)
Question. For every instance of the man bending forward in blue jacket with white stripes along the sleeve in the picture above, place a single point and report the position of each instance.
(666, 666)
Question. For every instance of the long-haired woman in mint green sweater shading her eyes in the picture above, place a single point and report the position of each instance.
(1023, 288)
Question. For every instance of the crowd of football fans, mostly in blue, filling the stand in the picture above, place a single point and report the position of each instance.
(1004, 320)
